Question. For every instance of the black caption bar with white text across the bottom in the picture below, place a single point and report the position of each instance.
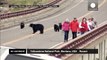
(53, 51)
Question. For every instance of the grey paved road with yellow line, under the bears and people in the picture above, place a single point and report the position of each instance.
(23, 38)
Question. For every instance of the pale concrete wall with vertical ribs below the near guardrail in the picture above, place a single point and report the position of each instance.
(100, 44)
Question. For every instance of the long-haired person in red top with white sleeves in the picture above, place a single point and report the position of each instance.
(83, 26)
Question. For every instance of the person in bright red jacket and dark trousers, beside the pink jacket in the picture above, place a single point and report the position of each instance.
(74, 26)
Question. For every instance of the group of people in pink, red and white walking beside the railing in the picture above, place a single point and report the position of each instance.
(84, 26)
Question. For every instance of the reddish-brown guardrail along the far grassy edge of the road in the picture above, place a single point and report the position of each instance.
(19, 13)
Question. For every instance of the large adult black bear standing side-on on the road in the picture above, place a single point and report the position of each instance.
(37, 27)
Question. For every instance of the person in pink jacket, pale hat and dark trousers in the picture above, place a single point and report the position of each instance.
(65, 28)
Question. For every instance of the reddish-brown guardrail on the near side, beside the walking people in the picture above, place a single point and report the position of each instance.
(80, 41)
